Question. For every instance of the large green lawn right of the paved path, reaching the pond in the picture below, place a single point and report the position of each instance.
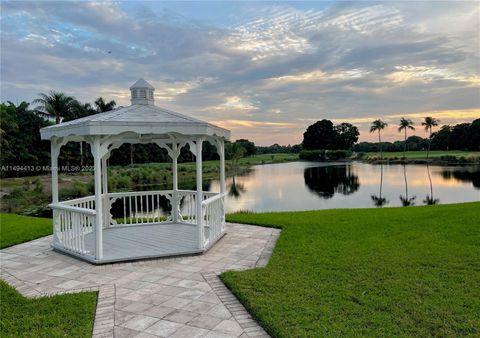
(391, 272)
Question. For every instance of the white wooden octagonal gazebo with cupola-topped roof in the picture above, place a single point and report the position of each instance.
(84, 227)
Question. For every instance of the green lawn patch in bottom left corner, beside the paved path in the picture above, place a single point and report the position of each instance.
(69, 315)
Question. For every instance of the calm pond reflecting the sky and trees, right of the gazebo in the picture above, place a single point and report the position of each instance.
(308, 186)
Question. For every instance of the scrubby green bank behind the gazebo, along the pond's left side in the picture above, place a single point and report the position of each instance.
(31, 195)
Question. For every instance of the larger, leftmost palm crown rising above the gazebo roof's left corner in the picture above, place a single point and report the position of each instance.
(56, 104)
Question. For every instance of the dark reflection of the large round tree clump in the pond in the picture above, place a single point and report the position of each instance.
(325, 181)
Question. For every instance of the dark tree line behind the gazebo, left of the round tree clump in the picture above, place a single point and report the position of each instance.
(23, 153)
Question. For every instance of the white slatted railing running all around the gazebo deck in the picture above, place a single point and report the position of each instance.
(74, 219)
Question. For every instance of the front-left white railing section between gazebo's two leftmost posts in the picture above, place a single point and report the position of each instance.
(71, 224)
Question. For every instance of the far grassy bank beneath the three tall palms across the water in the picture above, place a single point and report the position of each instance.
(422, 155)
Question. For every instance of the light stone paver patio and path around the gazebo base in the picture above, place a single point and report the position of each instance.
(175, 297)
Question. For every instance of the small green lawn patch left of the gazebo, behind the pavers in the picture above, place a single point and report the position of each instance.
(16, 229)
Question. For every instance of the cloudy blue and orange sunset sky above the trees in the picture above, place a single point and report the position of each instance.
(264, 70)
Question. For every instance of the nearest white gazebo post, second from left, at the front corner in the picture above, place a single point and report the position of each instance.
(98, 198)
